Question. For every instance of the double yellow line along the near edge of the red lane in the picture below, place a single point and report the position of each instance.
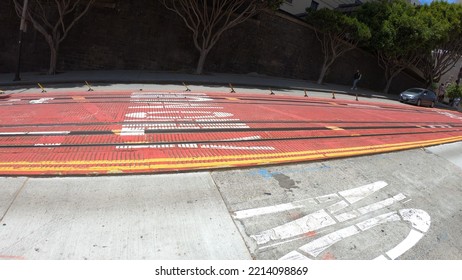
(225, 161)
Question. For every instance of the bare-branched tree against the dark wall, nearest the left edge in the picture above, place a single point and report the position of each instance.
(54, 19)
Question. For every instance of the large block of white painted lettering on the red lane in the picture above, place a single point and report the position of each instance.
(161, 112)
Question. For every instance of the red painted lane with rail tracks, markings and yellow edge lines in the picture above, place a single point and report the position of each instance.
(148, 132)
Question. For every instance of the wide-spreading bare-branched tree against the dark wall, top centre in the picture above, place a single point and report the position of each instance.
(209, 19)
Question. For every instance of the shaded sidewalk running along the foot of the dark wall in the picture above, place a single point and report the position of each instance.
(149, 77)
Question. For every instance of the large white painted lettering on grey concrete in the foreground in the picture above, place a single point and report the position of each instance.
(419, 220)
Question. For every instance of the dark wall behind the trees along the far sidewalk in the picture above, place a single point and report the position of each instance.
(142, 34)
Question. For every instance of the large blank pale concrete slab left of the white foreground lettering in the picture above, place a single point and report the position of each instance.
(135, 217)
